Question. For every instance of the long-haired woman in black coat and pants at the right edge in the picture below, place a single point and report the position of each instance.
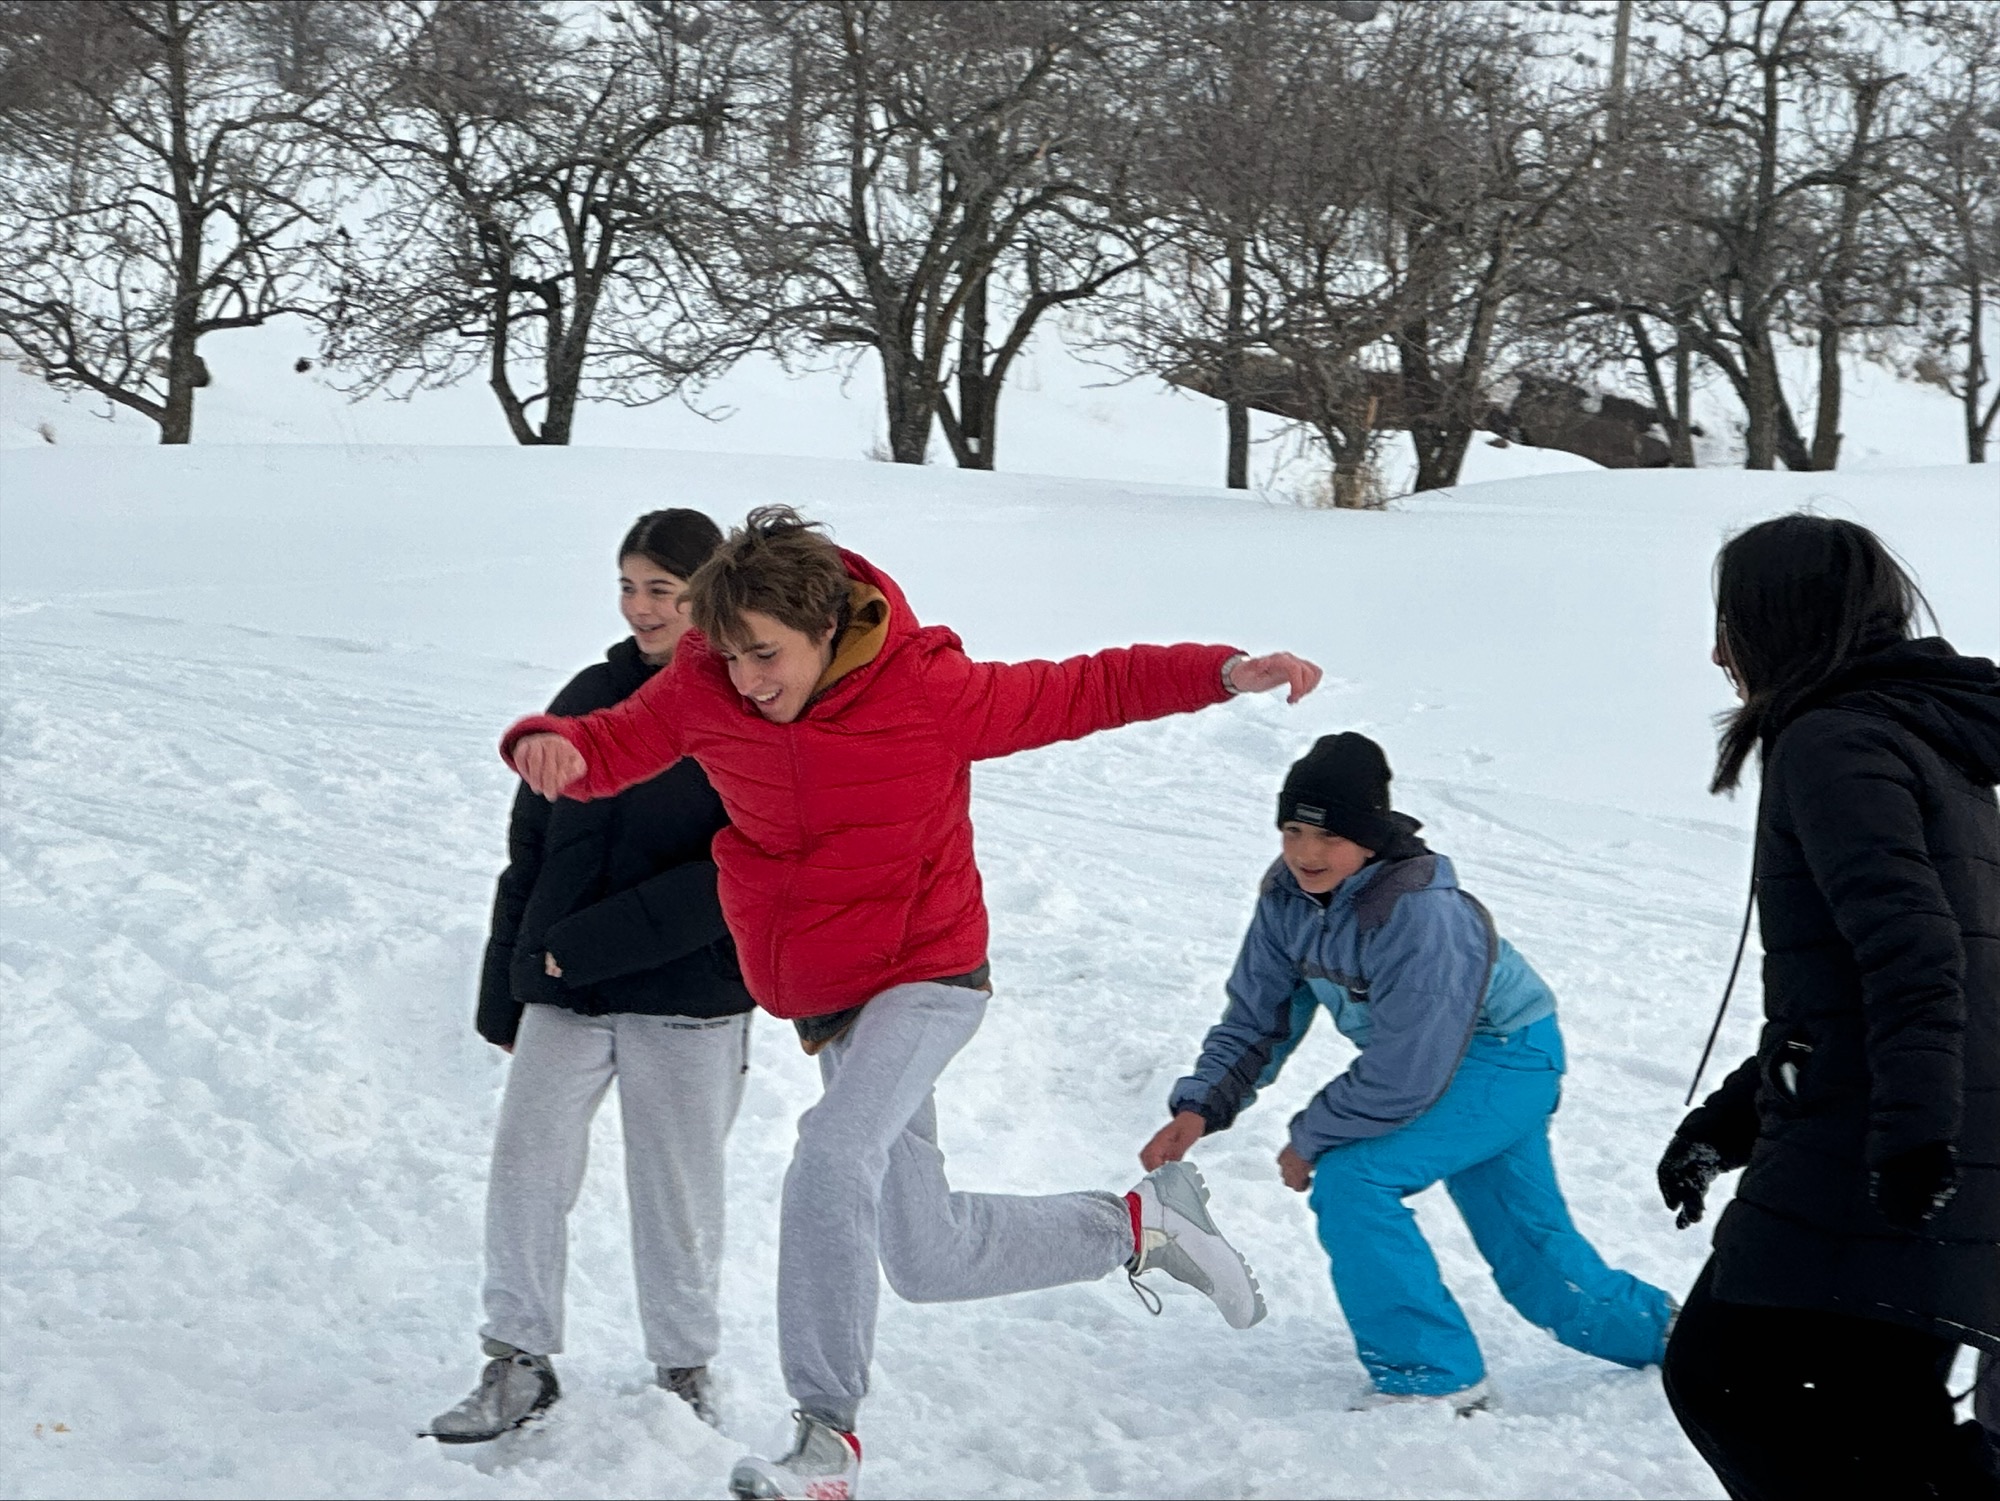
(1863, 1246)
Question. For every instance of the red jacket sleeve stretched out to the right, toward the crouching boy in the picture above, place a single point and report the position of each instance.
(995, 709)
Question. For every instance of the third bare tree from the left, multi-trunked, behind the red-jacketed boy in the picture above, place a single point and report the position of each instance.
(937, 181)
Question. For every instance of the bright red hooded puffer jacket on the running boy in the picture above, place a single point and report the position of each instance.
(847, 866)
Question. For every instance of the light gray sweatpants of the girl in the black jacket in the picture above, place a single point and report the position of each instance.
(679, 1088)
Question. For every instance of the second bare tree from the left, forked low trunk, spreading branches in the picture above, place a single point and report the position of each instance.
(553, 205)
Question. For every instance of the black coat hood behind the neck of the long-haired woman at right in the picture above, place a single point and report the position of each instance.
(1949, 701)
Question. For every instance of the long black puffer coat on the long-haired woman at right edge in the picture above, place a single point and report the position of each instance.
(1879, 896)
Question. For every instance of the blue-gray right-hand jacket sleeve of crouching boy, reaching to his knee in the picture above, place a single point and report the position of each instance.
(1427, 970)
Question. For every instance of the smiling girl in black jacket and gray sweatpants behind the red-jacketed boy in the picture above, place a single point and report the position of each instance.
(609, 960)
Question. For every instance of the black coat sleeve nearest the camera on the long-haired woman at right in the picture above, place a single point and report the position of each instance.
(1857, 810)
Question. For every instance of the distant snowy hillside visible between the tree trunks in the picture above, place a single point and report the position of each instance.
(1061, 415)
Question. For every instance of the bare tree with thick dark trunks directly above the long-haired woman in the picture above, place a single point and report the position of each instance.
(1759, 149)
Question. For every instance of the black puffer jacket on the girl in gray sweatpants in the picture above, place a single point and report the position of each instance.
(621, 892)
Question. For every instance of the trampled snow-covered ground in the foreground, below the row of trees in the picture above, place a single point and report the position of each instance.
(251, 818)
